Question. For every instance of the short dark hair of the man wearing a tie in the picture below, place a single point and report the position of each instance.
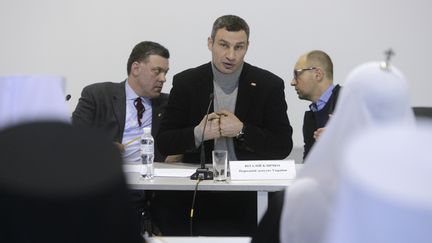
(143, 50)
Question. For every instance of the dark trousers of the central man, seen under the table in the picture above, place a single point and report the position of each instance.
(216, 213)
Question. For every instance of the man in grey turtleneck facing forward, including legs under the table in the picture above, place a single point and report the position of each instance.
(248, 118)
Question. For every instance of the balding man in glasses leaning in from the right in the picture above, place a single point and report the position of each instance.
(313, 81)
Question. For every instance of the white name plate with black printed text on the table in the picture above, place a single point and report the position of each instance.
(262, 169)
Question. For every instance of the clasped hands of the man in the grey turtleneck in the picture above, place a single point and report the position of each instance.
(222, 123)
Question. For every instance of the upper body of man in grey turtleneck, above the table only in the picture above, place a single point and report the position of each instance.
(248, 116)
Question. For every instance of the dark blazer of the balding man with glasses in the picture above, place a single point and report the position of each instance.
(311, 123)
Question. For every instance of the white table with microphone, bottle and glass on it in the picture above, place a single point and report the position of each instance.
(262, 187)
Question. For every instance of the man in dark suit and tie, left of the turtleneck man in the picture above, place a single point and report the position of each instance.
(122, 110)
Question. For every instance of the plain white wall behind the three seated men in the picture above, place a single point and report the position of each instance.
(89, 41)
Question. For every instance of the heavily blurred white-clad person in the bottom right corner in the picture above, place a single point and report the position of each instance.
(385, 197)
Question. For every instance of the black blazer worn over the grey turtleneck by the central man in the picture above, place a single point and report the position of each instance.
(260, 105)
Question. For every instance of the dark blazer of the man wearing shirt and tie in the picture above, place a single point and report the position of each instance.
(103, 106)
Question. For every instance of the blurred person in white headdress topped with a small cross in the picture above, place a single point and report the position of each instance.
(374, 96)
